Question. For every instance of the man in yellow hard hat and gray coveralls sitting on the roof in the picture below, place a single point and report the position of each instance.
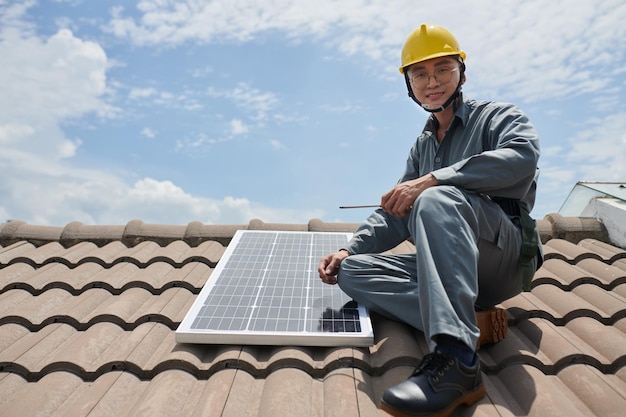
(465, 195)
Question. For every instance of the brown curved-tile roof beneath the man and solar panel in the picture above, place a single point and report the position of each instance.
(88, 313)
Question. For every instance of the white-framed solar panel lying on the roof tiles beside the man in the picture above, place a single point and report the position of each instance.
(265, 290)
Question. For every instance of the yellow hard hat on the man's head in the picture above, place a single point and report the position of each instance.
(427, 42)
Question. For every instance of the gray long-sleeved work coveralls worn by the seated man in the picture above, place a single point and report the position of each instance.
(467, 247)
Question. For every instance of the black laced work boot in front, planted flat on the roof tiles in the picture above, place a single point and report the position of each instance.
(437, 387)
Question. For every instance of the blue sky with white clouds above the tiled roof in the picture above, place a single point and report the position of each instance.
(227, 111)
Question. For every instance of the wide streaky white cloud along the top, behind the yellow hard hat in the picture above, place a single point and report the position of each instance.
(536, 50)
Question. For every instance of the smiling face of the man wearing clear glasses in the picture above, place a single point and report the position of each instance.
(435, 80)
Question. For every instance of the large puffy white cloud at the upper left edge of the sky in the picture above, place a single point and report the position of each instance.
(45, 82)
